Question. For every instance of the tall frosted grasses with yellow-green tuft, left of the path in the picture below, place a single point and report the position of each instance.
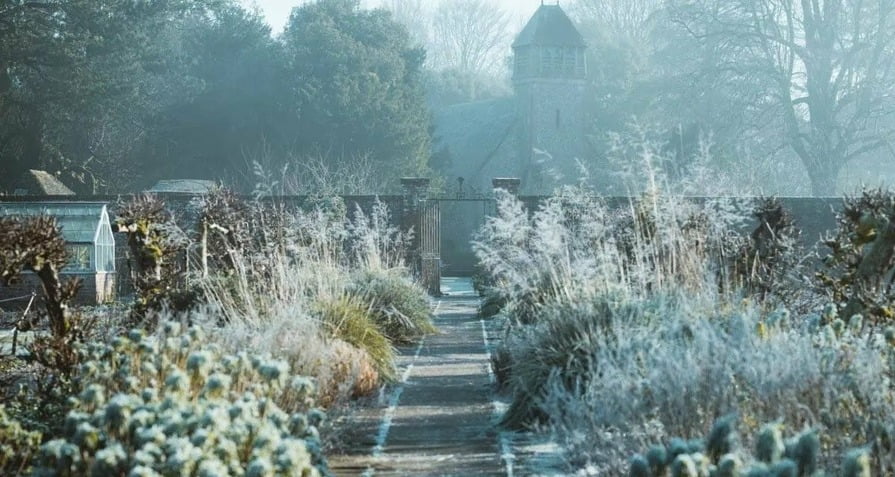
(314, 290)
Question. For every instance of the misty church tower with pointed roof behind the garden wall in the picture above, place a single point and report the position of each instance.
(549, 78)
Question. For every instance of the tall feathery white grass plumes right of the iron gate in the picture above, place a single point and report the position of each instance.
(575, 247)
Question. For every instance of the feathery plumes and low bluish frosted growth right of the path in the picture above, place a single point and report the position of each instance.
(621, 331)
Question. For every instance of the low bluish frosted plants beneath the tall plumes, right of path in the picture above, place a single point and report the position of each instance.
(670, 366)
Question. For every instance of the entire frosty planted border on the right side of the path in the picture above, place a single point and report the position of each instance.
(679, 338)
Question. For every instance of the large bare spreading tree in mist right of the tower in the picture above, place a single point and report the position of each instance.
(827, 66)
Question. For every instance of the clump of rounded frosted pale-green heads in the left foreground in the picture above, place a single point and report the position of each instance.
(192, 412)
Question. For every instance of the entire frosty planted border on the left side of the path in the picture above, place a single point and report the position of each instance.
(245, 331)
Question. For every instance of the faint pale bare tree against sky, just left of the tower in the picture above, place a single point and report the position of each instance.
(471, 36)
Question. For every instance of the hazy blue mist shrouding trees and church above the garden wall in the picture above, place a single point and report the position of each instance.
(755, 97)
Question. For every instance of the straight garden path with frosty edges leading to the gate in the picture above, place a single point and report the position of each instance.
(440, 418)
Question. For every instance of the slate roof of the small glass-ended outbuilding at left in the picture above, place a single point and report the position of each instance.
(79, 220)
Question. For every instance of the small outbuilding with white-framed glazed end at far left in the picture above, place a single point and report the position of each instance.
(90, 244)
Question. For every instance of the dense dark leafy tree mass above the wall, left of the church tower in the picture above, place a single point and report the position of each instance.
(111, 96)
